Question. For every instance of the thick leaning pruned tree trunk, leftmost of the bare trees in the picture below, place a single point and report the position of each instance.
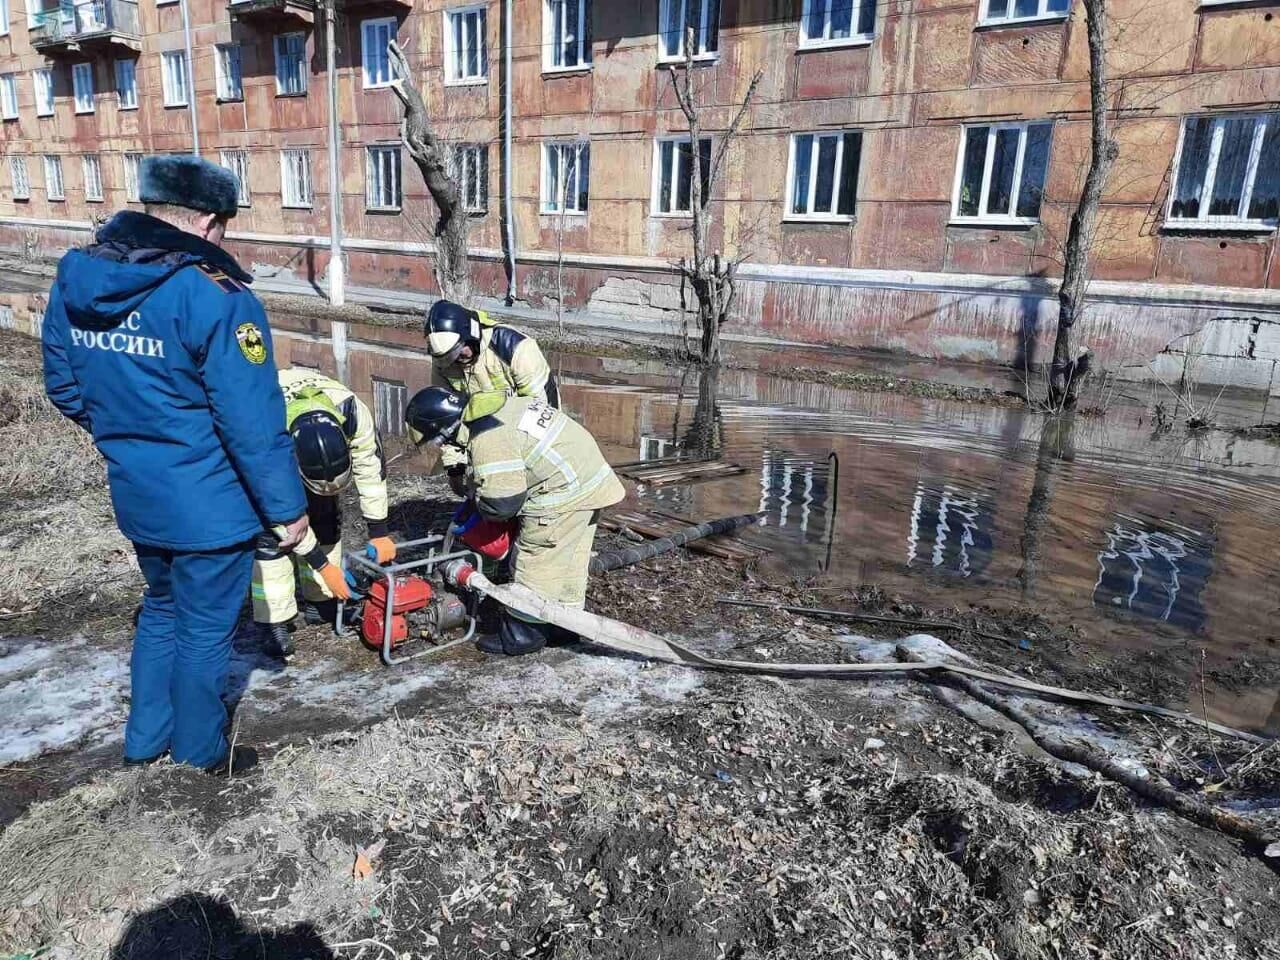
(433, 159)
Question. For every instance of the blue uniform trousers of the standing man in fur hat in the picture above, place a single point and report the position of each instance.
(182, 652)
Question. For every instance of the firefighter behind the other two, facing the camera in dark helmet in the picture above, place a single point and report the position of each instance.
(482, 359)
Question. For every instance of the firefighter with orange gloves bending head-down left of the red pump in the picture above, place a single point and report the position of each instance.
(336, 442)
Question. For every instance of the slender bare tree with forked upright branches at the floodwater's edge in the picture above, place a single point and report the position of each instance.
(710, 273)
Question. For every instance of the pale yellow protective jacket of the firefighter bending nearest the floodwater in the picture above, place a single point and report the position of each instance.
(536, 461)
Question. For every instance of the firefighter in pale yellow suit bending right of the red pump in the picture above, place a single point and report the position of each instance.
(532, 461)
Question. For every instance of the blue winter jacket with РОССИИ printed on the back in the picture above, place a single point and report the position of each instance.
(154, 345)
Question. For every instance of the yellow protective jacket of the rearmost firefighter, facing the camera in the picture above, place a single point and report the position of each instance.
(509, 364)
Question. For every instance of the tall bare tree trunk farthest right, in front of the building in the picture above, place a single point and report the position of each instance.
(1069, 369)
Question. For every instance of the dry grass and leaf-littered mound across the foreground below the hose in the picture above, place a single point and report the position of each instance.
(749, 824)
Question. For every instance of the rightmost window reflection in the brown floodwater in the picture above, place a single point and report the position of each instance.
(1155, 570)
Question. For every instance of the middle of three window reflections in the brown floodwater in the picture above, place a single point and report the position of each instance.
(950, 531)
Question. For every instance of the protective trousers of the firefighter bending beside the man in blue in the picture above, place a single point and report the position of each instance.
(275, 588)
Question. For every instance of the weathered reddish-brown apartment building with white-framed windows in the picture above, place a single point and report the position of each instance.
(903, 180)
